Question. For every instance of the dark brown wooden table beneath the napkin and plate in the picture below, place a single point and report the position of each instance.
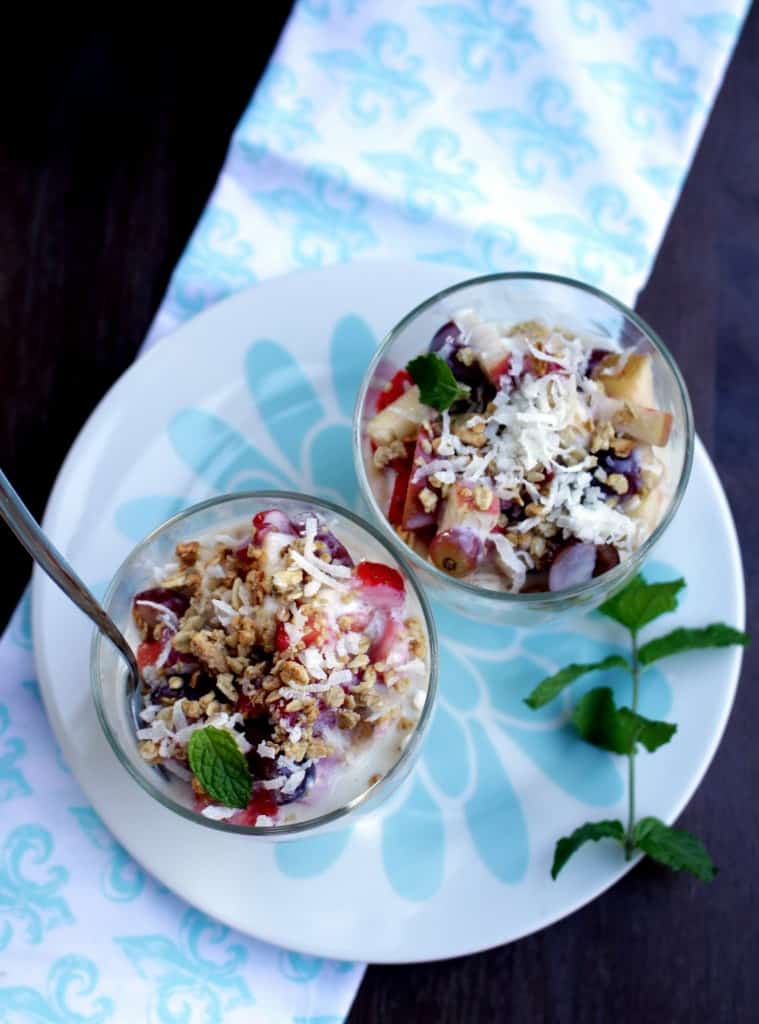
(109, 148)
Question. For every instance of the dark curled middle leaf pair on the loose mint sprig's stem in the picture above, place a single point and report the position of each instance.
(617, 730)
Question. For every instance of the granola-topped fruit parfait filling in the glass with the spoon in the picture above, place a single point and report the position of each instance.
(284, 669)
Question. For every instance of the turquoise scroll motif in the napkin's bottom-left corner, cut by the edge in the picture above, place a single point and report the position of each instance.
(70, 997)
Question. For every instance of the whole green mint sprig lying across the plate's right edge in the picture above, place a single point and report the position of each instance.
(622, 731)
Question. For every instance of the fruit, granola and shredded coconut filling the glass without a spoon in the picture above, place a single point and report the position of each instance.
(522, 457)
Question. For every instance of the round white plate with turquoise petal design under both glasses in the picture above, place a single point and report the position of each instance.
(259, 392)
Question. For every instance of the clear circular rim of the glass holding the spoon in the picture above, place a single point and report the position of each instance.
(312, 825)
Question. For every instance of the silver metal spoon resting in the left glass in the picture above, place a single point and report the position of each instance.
(48, 557)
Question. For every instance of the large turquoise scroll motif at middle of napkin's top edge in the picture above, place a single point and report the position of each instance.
(488, 34)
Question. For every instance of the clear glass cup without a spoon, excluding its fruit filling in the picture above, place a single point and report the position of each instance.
(569, 307)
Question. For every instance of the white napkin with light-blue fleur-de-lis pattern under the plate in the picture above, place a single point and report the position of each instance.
(493, 135)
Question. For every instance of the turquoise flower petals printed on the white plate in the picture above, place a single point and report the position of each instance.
(463, 781)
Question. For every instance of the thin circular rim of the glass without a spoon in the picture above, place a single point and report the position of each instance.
(549, 599)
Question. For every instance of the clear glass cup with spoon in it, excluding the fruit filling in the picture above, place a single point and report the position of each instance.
(109, 678)
